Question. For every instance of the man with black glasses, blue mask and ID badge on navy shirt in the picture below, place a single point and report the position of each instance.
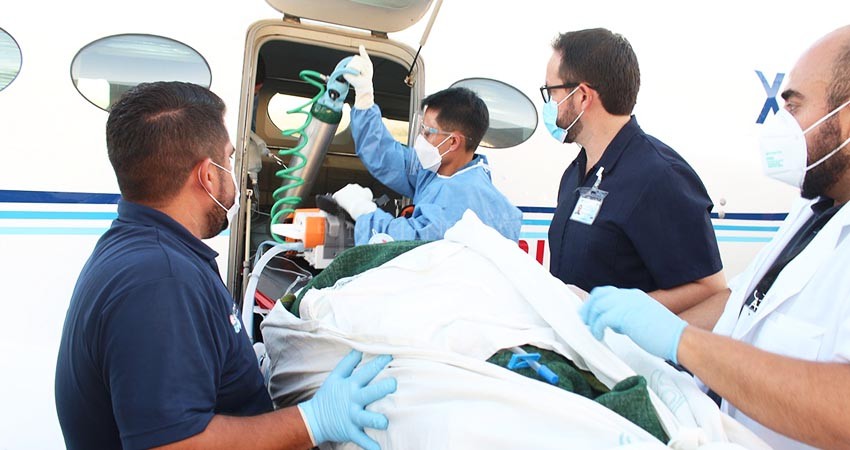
(631, 212)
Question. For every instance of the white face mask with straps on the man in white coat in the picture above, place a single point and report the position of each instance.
(783, 147)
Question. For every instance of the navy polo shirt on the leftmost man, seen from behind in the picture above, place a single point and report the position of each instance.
(153, 344)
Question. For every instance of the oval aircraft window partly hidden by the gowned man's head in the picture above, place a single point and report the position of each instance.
(513, 117)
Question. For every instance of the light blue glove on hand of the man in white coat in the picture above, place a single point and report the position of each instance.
(633, 313)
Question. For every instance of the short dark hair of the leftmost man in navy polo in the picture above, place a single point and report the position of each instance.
(156, 134)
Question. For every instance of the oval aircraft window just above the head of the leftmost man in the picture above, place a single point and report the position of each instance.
(106, 68)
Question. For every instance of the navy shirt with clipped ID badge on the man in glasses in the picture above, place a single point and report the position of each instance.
(653, 230)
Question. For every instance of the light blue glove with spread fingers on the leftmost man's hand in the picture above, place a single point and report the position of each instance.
(336, 413)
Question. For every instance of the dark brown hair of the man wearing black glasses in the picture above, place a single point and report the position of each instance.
(603, 60)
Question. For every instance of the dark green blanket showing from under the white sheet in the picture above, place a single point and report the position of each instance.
(629, 398)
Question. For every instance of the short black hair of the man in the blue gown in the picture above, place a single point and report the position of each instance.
(460, 109)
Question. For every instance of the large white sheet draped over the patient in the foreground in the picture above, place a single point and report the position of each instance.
(441, 310)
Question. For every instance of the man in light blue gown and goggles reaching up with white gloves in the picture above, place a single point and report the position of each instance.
(441, 173)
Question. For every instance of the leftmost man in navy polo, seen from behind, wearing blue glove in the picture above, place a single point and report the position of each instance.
(153, 351)
